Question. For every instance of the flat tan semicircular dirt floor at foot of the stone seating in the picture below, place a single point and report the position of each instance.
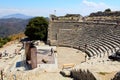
(69, 55)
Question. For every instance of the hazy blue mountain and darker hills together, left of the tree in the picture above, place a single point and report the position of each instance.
(14, 23)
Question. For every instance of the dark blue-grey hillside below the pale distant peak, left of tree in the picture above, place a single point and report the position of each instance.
(12, 26)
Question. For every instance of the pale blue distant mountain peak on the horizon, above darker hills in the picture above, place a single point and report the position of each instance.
(18, 15)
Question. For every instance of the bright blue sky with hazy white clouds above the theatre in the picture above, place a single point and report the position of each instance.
(58, 7)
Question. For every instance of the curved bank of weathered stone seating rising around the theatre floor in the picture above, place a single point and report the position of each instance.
(101, 39)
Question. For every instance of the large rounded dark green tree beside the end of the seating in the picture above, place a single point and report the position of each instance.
(37, 29)
